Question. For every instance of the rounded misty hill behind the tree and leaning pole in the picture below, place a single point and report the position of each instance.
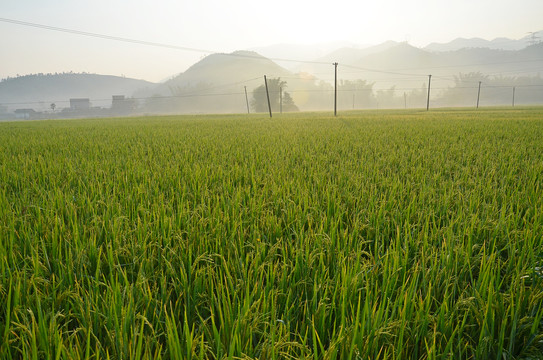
(217, 84)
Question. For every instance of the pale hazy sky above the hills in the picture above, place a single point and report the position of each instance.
(229, 25)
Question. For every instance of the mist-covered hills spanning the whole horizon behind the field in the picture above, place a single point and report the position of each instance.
(390, 75)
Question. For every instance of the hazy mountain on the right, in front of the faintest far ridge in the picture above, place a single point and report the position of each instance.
(406, 68)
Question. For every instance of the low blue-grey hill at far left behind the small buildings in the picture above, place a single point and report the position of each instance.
(40, 90)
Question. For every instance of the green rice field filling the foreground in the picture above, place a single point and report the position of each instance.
(373, 235)
